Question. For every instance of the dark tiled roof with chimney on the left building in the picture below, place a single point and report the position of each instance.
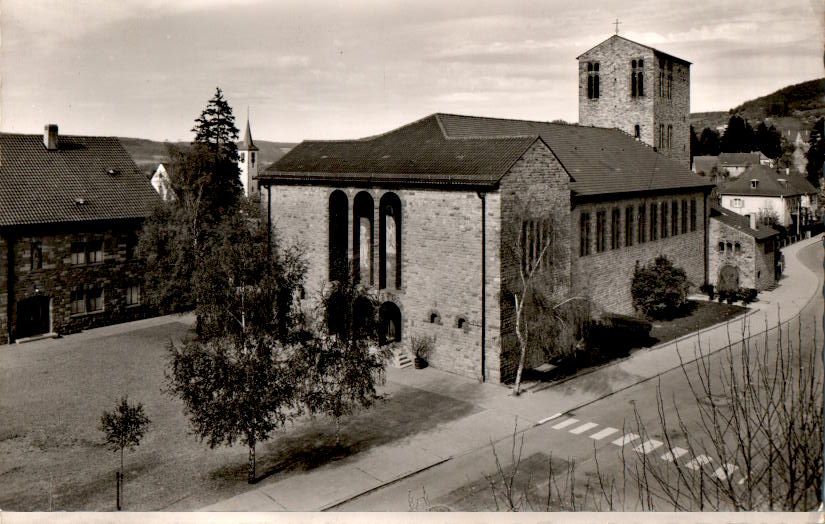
(86, 178)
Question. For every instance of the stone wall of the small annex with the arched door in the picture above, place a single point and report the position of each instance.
(754, 265)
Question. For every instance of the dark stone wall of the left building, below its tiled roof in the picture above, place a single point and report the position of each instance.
(58, 277)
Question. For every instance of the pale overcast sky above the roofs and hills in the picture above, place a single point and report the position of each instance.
(351, 68)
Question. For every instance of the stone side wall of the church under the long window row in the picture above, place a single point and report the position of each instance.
(606, 276)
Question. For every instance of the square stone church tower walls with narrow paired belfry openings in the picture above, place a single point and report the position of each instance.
(639, 90)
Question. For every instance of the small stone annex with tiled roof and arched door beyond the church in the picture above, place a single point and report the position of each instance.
(743, 253)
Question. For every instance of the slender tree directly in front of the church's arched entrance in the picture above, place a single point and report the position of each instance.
(345, 364)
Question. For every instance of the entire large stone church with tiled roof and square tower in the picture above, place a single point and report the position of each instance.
(430, 213)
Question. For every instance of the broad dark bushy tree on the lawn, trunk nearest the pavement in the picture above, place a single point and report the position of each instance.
(235, 390)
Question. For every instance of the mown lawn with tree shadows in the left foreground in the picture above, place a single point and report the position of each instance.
(52, 394)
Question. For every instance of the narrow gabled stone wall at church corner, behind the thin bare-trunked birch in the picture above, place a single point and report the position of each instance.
(537, 188)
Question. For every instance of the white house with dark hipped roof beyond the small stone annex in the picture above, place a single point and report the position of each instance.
(763, 192)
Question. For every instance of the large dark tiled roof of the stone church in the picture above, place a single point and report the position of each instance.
(445, 148)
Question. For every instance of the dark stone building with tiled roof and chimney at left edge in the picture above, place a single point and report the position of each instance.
(70, 211)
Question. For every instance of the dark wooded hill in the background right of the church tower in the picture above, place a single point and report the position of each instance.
(791, 109)
